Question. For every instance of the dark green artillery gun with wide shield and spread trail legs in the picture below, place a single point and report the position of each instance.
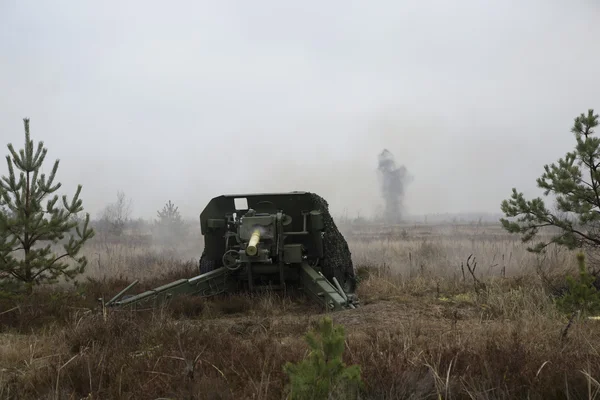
(266, 241)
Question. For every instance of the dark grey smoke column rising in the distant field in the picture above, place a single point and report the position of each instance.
(393, 184)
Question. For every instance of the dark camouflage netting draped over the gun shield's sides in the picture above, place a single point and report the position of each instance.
(337, 260)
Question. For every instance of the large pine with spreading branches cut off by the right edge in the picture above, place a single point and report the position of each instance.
(575, 182)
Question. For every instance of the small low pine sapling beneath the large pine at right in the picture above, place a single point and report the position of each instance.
(582, 295)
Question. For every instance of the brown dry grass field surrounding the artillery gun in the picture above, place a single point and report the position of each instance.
(424, 330)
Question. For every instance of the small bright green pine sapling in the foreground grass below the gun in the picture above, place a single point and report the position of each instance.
(323, 374)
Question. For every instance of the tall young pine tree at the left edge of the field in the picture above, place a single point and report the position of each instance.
(26, 222)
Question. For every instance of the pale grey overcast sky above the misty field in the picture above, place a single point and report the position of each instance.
(186, 100)
